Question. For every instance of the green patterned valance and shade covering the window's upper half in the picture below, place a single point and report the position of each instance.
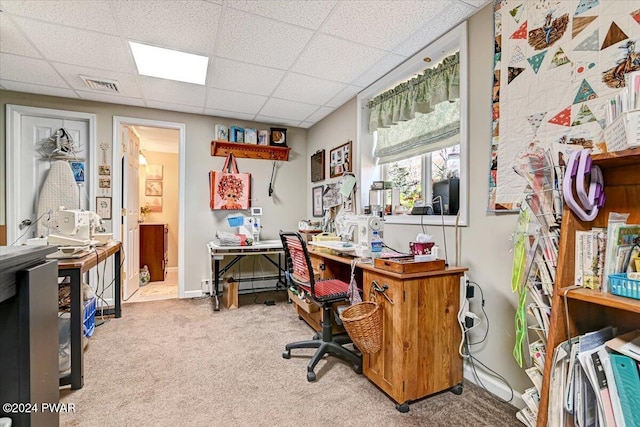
(413, 118)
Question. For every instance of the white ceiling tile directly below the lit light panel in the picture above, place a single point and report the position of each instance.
(173, 92)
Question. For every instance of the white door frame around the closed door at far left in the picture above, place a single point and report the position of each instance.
(12, 151)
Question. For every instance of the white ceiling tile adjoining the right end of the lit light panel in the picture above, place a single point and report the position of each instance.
(243, 77)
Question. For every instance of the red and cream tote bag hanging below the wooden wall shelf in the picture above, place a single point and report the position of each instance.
(229, 189)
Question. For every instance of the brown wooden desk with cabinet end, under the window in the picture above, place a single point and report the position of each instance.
(421, 334)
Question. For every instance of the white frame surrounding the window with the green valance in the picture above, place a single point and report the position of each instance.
(366, 166)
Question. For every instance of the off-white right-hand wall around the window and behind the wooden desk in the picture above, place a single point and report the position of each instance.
(485, 244)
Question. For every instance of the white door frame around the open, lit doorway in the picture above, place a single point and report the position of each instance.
(116, 179)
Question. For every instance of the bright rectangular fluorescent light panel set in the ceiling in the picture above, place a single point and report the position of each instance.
(169, 64)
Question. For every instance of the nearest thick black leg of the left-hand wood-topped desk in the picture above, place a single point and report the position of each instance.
(77, 365)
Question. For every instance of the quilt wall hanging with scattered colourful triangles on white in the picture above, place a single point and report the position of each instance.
(556, 64)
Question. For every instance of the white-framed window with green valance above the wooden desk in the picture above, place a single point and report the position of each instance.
(424, 165)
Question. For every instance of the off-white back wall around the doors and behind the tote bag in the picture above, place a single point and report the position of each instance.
(281, 211)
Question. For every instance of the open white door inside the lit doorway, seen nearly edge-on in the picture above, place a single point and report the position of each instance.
(131, 205)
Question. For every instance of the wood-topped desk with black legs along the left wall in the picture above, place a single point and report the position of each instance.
(74, 269)
